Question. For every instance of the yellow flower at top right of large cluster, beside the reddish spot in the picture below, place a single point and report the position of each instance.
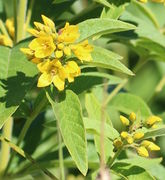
(68, 34)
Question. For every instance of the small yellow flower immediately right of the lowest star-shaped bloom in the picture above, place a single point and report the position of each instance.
(73, 70)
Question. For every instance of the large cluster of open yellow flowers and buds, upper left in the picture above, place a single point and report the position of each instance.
(53, 53)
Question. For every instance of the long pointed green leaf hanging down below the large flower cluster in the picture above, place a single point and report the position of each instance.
(69, 115)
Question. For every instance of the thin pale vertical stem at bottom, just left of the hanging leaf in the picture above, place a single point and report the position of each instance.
(61, 159)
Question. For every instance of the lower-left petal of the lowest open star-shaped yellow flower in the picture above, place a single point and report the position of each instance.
(44, 80)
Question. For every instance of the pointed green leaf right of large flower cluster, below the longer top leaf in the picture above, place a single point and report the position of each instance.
(109, 60)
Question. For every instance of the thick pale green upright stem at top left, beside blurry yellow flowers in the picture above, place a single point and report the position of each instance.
(21, 19)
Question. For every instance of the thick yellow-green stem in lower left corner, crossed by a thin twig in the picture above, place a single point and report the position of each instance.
(5, 149)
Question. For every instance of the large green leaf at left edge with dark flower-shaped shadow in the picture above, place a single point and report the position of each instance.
(16, 78)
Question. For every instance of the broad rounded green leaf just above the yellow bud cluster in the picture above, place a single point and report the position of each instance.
(128, 103)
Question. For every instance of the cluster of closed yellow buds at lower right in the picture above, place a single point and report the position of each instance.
(135, 133)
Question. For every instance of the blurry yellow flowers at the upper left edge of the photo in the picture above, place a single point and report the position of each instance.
(7, 38)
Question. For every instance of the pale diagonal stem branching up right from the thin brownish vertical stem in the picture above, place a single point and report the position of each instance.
(116, 90)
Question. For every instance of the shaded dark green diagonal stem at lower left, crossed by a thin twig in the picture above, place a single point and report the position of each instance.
(28, 122)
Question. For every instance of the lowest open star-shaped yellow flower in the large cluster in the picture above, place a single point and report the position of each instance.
(52, 72)
